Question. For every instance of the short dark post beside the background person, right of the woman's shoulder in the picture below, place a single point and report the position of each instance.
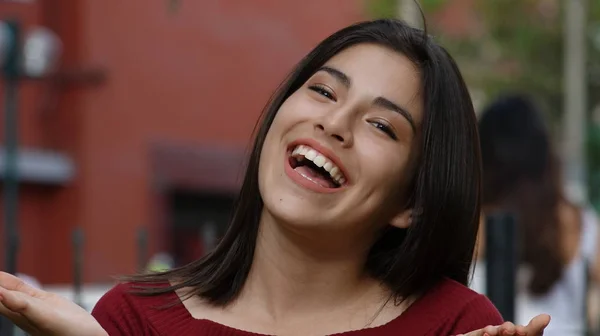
(501, 263)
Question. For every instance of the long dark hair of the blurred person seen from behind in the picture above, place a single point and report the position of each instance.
(521, 175)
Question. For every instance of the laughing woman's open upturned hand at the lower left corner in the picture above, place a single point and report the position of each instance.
(40, 313)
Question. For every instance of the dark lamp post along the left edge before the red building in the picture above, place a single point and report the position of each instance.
(11, 183)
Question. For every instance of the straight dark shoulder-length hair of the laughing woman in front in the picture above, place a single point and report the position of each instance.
(445, 188)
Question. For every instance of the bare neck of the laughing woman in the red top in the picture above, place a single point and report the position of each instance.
(295, 274)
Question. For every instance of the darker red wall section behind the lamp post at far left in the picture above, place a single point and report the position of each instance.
(49, 119)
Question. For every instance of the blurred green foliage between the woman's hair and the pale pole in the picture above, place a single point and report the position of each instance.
(519, 50)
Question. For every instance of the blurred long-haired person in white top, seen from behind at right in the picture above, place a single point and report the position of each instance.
(558, 239)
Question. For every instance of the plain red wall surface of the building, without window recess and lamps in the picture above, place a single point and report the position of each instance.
(199, 75)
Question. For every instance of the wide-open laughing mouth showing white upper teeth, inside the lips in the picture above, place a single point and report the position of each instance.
(316, 167)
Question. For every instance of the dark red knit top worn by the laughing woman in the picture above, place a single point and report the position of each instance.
(448, 309)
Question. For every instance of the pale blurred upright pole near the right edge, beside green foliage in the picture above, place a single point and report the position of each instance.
(575, 99)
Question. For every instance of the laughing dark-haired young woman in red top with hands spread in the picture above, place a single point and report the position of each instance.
(358, 213)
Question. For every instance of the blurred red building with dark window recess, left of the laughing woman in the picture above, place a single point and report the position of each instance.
(146, 123)
